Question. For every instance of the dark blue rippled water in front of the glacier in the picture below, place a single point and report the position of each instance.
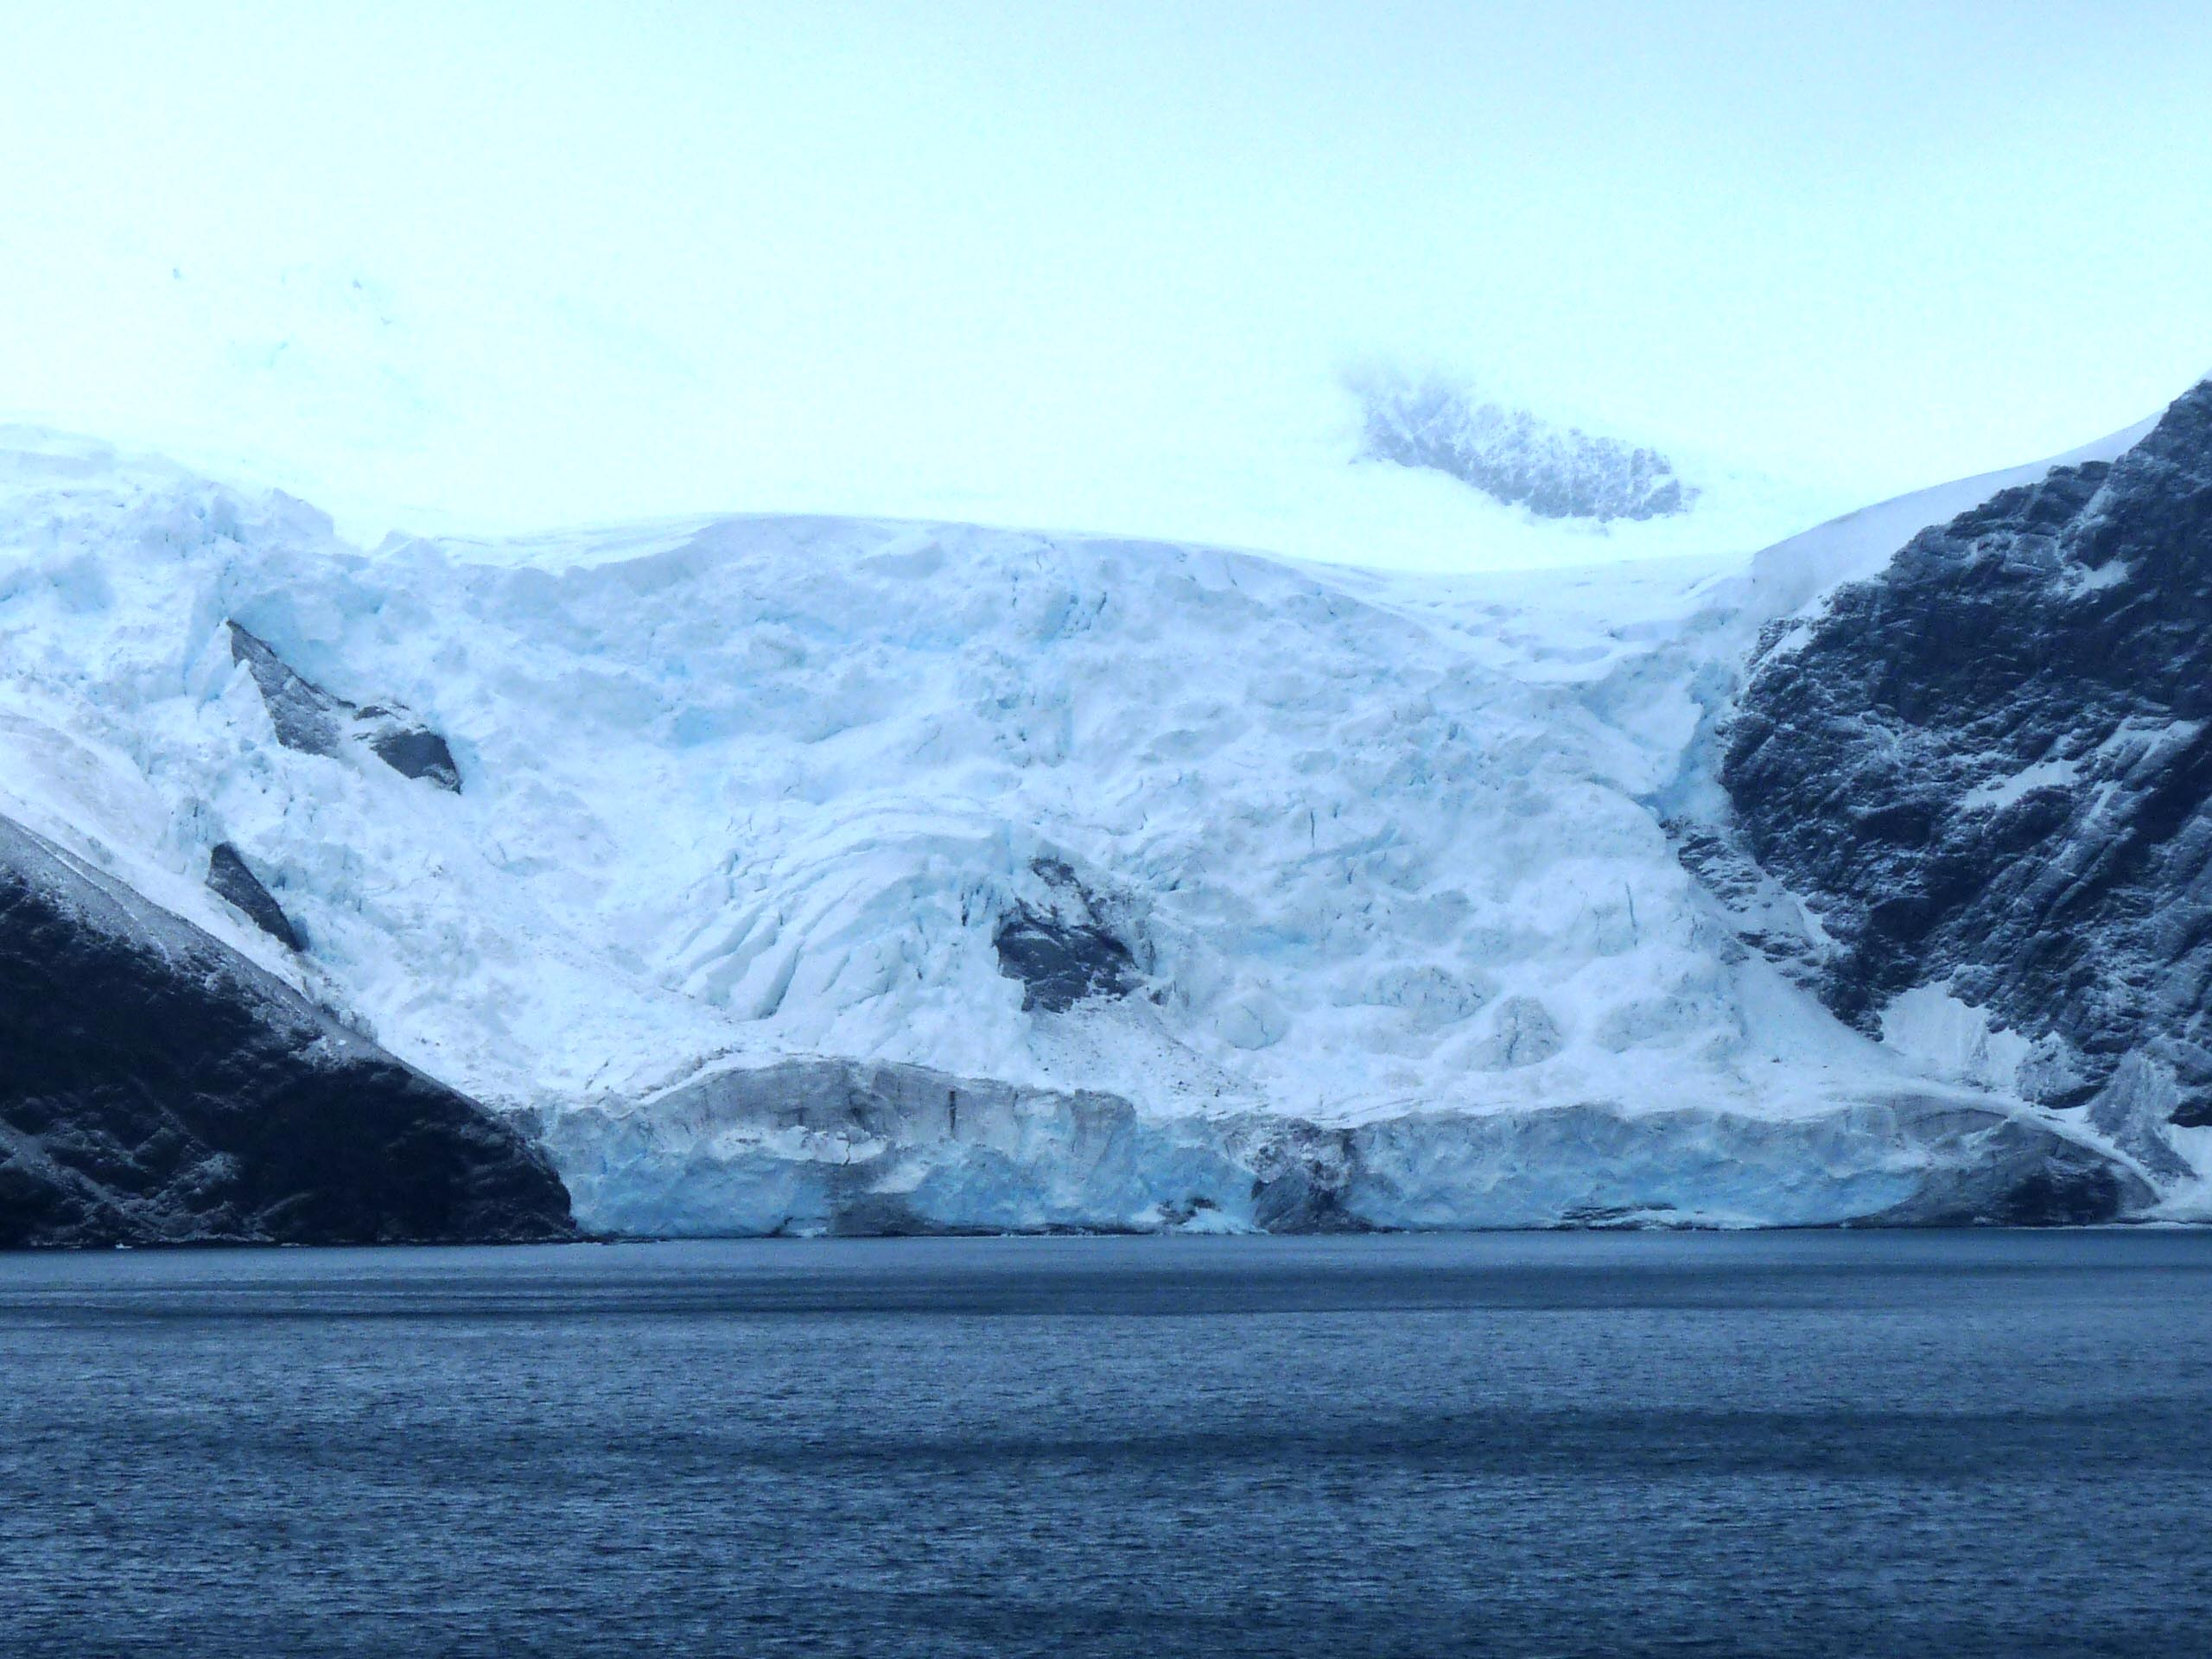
(1519, 1446)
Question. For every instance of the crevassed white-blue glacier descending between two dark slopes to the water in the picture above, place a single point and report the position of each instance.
(800, 873)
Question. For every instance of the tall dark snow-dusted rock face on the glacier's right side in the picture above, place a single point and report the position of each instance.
(1990, 771)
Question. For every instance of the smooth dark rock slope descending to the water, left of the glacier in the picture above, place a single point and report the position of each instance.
(160, 1089)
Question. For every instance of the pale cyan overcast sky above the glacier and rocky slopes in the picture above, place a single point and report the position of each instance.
(1096, 267)
